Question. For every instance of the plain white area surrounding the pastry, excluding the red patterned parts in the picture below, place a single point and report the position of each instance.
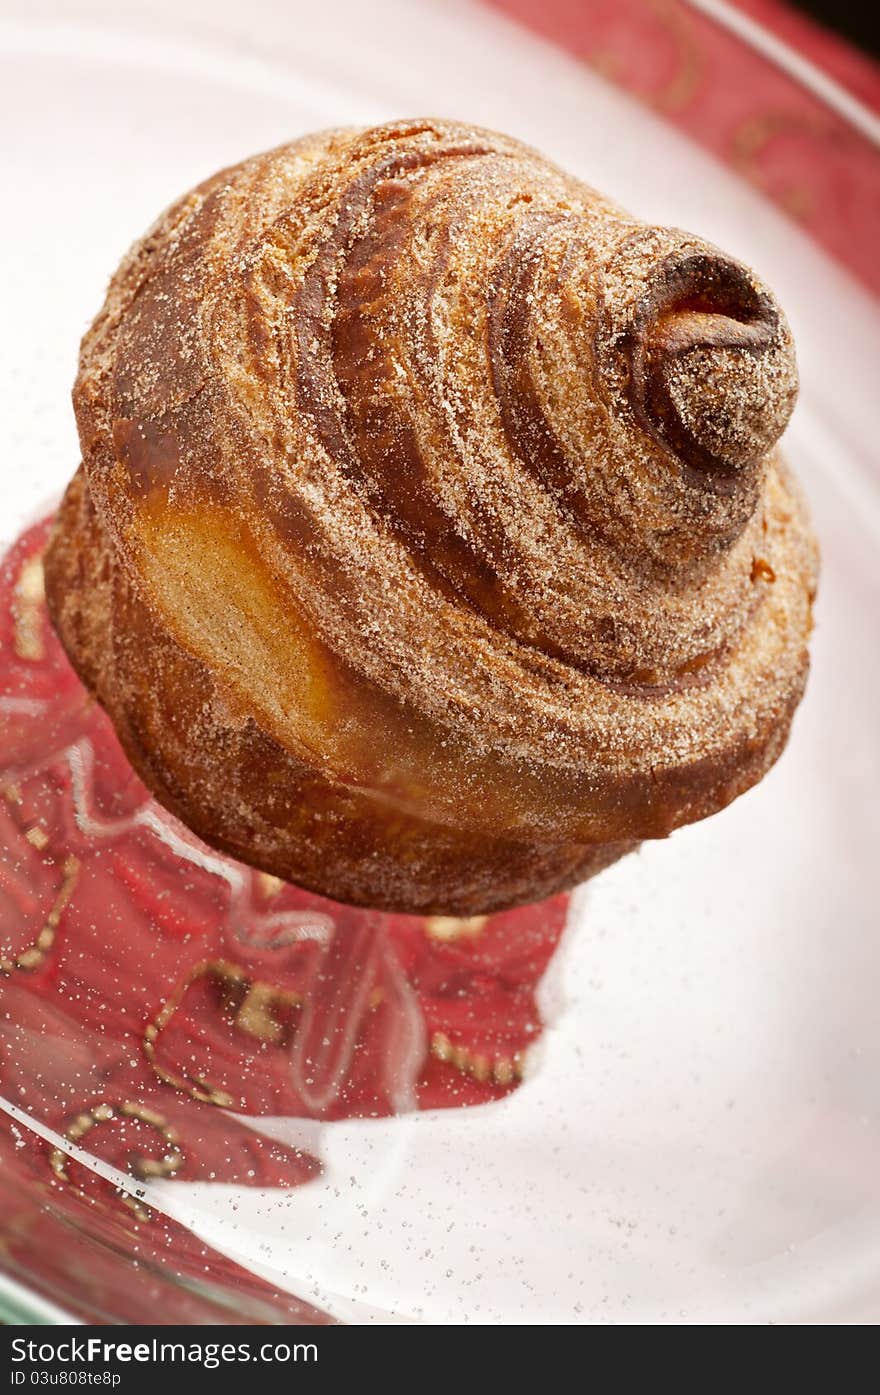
(699, 1139)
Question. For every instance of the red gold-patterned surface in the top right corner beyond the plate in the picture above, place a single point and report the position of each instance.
(752, 114)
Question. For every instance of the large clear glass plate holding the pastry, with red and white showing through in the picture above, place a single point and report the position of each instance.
(674, 1114)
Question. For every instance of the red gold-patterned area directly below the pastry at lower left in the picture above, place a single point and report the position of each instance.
(151, 990)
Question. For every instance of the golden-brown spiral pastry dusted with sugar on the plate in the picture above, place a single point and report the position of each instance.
(430, 546)
